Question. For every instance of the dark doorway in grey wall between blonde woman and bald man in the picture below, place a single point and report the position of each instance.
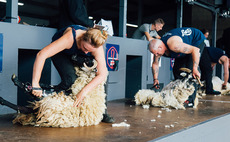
(133, 75)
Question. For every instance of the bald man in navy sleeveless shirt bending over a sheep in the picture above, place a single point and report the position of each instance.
(185, 45)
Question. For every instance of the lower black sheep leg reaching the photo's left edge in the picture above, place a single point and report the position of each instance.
(21, 109)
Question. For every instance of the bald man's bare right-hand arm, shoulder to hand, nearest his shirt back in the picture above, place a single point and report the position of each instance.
(175, 43)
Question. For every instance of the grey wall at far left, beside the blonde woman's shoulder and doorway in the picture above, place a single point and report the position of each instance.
(17, 36)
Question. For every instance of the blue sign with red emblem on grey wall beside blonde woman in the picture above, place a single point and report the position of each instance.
(112, 52)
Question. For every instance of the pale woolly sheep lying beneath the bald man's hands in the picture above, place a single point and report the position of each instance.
(173, 95)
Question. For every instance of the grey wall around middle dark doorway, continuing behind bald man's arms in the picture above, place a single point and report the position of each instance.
(117, 79)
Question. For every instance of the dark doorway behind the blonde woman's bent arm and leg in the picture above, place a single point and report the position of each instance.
(26, 59)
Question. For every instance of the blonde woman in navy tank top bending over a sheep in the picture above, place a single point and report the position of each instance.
(68, 41)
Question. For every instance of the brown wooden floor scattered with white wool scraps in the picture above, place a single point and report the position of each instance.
(145, 124)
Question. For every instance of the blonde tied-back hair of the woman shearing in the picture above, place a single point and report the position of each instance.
(95, 37)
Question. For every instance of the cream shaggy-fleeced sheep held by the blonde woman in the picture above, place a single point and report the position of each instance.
(57, 110)
